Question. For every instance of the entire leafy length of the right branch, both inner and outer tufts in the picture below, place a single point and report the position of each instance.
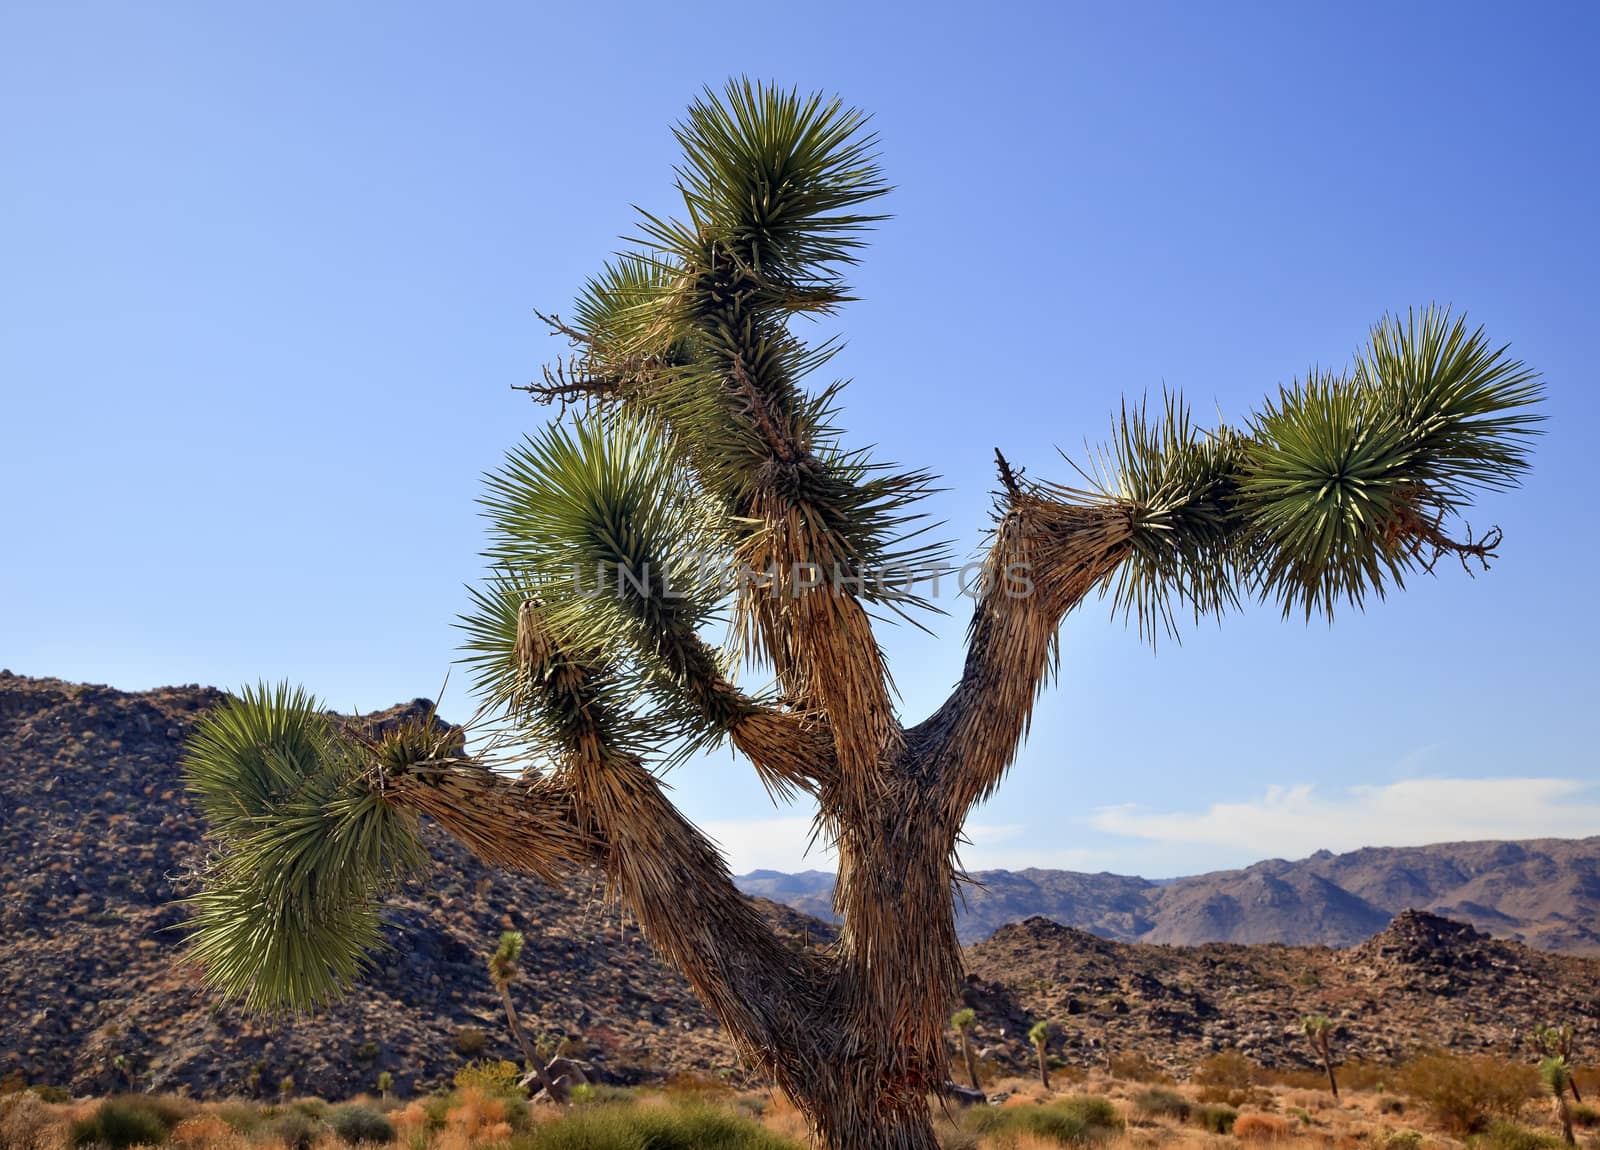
(1337, 490)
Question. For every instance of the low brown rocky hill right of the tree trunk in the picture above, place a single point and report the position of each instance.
(1422, 983)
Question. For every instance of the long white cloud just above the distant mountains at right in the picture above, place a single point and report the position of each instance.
(1292, 821)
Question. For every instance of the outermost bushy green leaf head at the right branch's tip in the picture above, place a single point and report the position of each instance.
(1351, 479)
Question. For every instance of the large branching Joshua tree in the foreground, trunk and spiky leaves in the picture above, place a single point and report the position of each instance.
(690, 445)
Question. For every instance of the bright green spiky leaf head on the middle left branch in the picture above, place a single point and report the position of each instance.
(628, 564)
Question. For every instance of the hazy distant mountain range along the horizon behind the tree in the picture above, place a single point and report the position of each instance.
(1543, 892)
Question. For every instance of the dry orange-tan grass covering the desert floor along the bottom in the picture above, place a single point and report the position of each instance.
(1132, 1116)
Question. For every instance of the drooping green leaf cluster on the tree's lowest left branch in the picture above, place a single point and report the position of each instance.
(302, 845)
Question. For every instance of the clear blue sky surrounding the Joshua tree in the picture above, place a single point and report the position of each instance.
(268, 278)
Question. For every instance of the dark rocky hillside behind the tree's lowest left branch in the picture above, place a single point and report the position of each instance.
(95, 837)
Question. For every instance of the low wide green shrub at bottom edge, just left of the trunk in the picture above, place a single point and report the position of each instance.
(673, 1127)
